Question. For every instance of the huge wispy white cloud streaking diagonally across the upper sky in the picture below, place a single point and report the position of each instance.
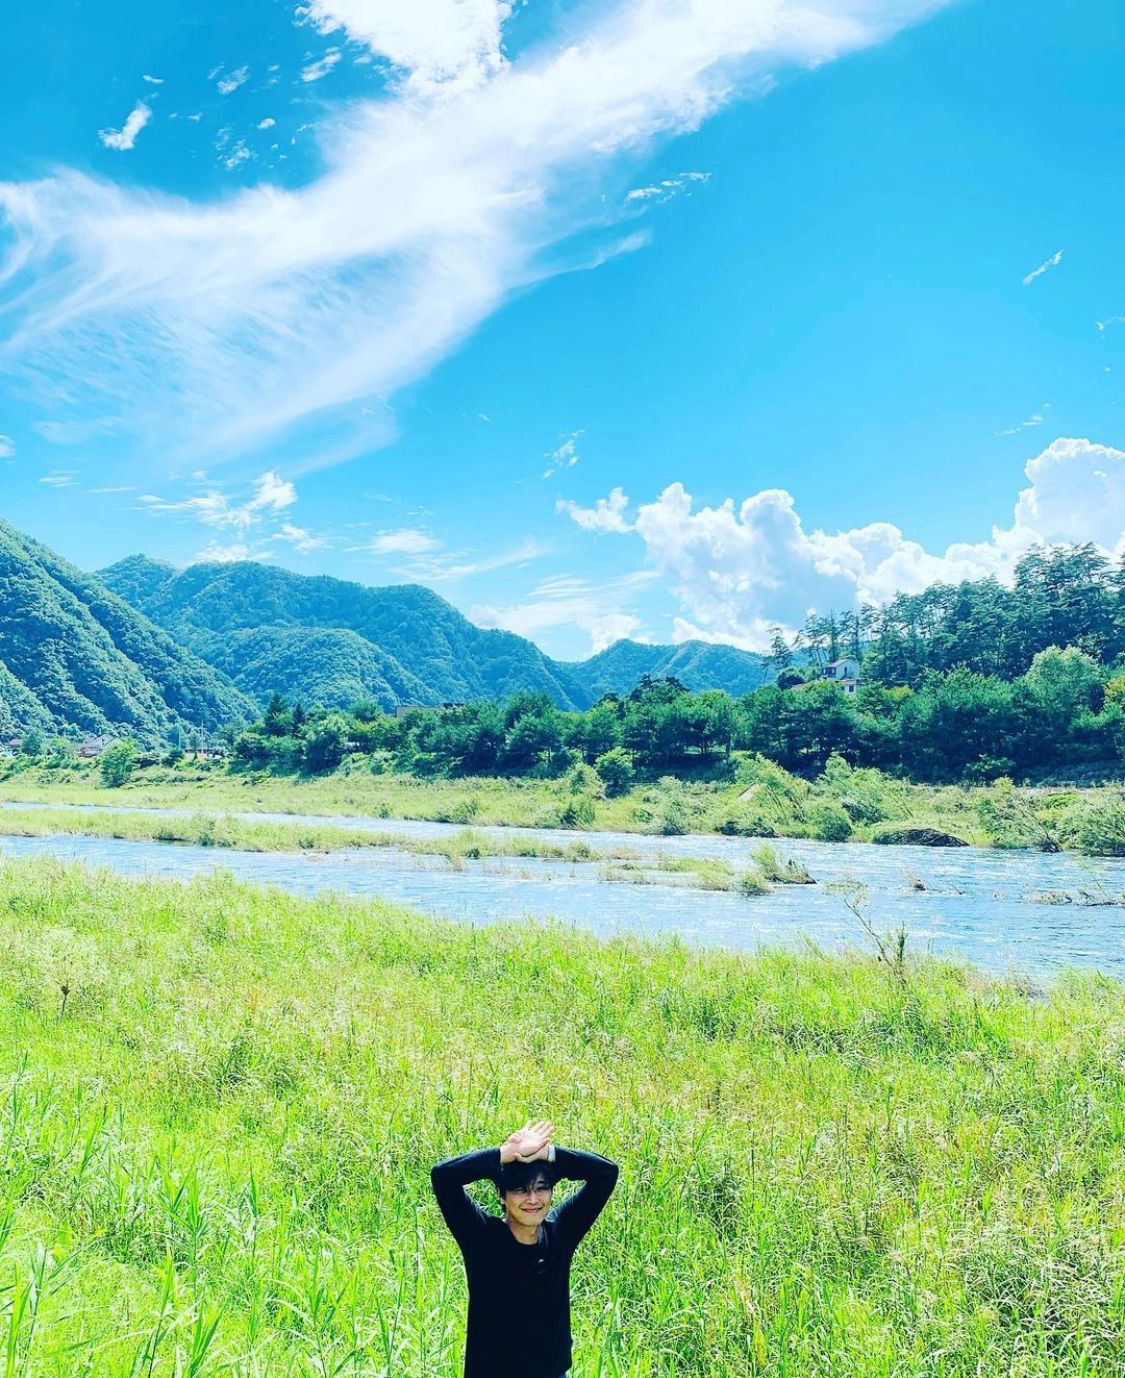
(482, 170)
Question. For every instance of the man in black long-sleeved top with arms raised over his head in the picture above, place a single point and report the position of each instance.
(519, 1264)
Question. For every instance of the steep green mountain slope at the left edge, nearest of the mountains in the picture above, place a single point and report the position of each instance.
(77, 657)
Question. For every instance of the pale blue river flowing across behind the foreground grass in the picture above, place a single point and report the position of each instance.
(984, 906)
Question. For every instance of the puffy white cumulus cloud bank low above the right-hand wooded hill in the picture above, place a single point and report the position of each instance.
(740, 570)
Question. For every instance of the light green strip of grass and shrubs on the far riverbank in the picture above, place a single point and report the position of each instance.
(756, 800)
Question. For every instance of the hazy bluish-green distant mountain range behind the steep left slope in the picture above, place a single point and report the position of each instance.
(329, 641)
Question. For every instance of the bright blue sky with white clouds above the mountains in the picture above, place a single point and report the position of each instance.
(662, 318)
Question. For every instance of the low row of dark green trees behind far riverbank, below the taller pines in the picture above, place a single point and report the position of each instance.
(953, 726)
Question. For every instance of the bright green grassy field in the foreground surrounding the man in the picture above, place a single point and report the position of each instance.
(220, 1107)
